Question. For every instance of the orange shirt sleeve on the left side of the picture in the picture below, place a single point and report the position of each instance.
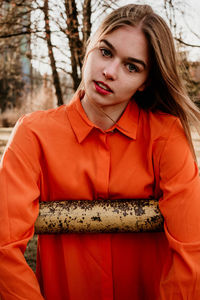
(19, 207)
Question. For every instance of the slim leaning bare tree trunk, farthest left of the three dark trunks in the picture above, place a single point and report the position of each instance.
(56, 80)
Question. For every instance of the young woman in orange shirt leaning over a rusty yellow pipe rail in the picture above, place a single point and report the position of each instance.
(125, 135)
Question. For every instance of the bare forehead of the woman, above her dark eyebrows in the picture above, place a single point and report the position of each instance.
(129, 41)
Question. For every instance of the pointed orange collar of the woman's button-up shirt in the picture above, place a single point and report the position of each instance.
(82, 126)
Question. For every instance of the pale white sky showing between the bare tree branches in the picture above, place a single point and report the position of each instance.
(190, 20)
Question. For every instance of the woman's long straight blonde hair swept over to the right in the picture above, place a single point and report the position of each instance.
(165, 91)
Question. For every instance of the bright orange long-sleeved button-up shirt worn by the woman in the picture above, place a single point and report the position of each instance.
(59, 155)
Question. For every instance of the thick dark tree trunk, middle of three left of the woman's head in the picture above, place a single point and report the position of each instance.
(75, 43)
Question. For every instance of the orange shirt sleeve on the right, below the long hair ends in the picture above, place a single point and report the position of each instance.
(180, 206)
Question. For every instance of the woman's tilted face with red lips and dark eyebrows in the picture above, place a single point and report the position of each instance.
(116, 68)
